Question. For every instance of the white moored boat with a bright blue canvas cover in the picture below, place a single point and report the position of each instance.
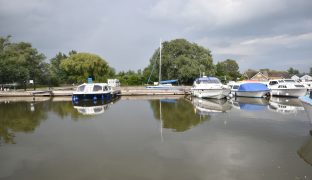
(252, 90)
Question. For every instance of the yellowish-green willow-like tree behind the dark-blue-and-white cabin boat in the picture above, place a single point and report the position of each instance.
(78, 67)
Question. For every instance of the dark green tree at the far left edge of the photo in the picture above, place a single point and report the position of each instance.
(20, 62)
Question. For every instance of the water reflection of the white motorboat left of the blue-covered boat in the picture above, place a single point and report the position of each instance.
(208, 106)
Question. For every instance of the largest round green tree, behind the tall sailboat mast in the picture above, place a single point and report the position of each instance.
(180, 60)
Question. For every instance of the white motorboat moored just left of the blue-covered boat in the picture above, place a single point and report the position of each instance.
(209, 87)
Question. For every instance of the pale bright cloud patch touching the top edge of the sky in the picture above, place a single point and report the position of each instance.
(215, 13)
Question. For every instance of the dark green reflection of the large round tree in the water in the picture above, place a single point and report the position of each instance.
(179, 115)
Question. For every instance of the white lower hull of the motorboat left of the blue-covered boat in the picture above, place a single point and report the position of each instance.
(210, 93)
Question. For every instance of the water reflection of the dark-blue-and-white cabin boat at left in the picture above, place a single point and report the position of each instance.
(92, 107)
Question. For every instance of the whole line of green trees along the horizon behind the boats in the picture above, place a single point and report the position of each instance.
(181, 59)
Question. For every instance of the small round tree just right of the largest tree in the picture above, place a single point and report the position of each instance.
(229, 69)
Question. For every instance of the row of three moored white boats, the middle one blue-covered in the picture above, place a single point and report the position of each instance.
(211, 87)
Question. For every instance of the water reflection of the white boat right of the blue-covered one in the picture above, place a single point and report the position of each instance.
(285, 105)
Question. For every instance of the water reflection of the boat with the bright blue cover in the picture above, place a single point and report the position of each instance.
(249, 104)
